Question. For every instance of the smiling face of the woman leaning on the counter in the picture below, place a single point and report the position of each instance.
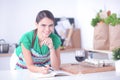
(45, 27)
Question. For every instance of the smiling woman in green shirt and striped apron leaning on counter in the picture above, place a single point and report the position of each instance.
(39, 48)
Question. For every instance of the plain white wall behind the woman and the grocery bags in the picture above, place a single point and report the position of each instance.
(17, 17)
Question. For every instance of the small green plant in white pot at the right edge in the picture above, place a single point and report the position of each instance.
(116, 57)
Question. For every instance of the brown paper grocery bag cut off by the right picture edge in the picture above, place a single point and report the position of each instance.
(114, 36)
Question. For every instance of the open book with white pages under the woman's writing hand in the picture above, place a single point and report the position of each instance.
(52, 74)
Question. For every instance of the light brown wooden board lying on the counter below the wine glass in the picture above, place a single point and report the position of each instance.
(85, 68)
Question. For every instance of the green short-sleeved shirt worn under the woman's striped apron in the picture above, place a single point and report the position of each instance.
(27, 38)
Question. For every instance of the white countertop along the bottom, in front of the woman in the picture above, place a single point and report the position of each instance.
(27, 75)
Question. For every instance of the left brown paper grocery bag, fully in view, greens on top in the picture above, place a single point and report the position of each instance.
(101, 37)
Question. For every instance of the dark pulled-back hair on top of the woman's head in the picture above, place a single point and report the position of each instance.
(44, 13)
